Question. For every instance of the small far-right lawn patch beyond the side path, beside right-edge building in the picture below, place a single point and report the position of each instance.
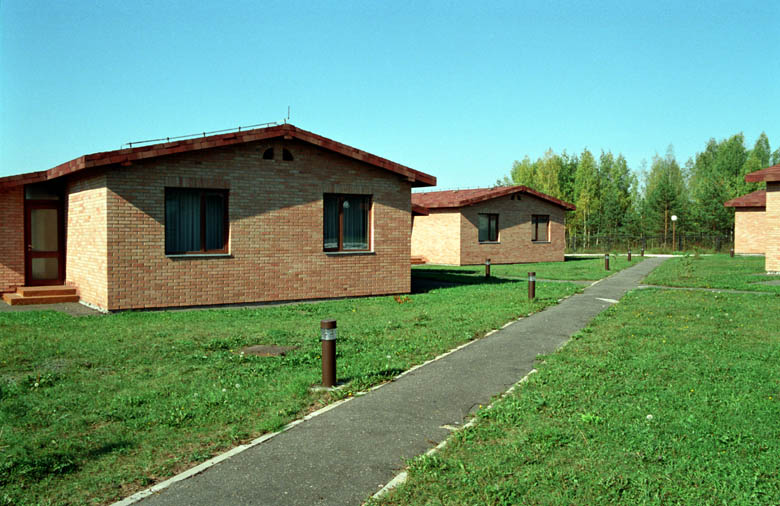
(716, 271)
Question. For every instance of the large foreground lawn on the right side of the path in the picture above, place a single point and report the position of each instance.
(666, 398)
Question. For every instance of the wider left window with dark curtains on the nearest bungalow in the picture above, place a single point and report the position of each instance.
(196, 221)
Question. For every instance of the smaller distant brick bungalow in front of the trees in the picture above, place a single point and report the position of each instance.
(510, 224)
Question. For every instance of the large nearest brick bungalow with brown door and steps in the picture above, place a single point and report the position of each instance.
(259, 215)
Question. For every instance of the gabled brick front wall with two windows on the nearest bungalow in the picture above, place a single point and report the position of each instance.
(276, 229)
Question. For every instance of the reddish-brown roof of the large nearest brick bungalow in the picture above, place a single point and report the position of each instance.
(126, 157)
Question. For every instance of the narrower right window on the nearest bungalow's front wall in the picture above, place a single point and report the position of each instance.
(346, 222)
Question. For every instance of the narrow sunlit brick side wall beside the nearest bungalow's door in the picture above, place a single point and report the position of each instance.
(86, 252)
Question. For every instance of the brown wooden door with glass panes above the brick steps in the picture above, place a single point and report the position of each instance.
(44, 243)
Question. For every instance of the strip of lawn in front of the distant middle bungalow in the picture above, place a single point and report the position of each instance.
(573, 269)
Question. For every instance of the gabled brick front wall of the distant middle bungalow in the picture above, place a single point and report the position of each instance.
(514, 236)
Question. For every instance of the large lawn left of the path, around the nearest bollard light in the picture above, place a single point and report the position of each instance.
(95, 408)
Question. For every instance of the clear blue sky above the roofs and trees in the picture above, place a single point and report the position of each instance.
(456, 89)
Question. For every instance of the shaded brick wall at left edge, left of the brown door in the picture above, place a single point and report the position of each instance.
(11, 239)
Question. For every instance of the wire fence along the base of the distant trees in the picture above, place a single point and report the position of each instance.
(713, 243)
